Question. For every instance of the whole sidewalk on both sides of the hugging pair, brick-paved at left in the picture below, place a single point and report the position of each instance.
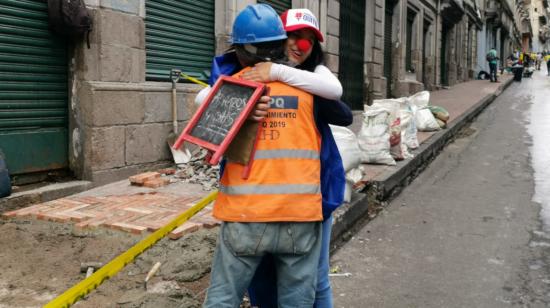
(138, 210)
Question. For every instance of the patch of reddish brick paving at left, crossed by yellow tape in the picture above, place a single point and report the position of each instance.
(136, 213)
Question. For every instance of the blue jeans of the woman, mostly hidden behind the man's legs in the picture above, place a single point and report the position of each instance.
(263, 289)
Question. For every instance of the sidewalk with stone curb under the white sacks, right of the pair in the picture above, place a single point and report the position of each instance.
(464, 102)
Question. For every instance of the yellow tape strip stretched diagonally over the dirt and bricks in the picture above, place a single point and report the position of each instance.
(87, 285)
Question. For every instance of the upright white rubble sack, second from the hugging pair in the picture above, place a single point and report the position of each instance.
(374, 136)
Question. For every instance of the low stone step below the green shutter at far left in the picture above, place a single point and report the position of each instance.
(43, 194)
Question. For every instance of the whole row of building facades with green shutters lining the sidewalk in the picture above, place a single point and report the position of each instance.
(104, 112)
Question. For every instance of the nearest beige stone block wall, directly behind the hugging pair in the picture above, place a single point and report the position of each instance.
(119, 122)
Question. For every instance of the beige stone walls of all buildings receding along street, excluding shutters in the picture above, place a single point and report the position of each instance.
(119, 121)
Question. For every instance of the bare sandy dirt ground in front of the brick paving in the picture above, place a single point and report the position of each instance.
(40, 260)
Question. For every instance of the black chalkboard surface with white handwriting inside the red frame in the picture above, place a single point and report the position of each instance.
(225, 108)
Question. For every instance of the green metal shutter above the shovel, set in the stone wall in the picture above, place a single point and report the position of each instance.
(179, 34)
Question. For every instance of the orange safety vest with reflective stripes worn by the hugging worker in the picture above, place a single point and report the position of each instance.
(285, 178)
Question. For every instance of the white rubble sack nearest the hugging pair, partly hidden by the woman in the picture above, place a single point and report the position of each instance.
(347, 144)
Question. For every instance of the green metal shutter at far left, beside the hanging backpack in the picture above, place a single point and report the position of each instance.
(33, 89)
